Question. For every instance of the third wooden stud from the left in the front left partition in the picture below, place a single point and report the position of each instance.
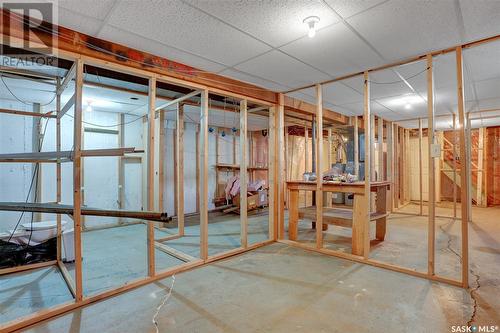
(204, 175)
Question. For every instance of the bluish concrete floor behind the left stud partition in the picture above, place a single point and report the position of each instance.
(114, 256)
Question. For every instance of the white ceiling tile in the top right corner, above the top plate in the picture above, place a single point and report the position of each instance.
(480, 18)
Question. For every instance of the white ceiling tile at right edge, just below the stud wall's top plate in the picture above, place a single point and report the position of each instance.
(483, 61)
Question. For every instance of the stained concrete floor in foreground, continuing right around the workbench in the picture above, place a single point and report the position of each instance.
(281, 288)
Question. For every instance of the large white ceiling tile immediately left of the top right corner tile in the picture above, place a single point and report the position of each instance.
(400, 29)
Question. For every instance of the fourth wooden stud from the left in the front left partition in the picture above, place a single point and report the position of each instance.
(243, 173)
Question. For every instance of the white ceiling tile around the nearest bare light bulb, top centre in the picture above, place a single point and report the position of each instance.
(274, 22)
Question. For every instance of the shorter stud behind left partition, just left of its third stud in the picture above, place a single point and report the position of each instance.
(179, 167)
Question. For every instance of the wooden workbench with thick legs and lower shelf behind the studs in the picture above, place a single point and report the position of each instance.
(357, 218)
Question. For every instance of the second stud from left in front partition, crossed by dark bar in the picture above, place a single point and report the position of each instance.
(151, 174)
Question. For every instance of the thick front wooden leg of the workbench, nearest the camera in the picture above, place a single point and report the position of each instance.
(360, 226)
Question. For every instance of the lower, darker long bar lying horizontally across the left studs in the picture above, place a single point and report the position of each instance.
(68, 210)
